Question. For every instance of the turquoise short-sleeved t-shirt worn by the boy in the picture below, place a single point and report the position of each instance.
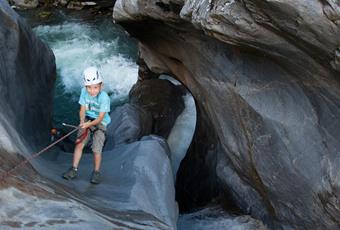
(95, 105)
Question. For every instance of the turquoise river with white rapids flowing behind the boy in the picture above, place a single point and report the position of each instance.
(77, 45)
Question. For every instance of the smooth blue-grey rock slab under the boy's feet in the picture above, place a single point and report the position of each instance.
(137, 189)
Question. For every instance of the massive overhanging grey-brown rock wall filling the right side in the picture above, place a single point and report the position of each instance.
(266, 82)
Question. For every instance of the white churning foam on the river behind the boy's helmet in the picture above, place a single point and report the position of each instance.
(78, 45)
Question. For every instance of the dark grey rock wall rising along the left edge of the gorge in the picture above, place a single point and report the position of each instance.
(27, 73)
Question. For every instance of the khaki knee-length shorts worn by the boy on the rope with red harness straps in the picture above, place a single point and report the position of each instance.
(98, 137)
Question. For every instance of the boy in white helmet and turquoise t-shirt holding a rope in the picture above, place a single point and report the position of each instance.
(93, 114)
